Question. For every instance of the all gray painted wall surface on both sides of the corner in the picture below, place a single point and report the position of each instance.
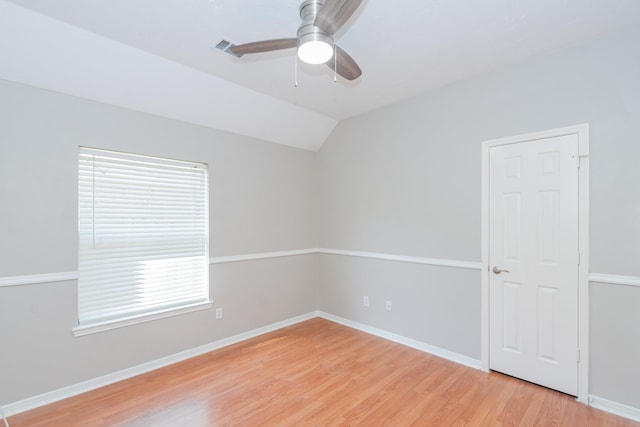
(400, 180)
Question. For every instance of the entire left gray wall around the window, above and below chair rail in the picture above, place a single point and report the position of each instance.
(262, 199)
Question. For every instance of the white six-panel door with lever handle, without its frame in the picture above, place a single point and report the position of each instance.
(533, 261)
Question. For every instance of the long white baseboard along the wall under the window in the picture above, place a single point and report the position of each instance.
(92, 384)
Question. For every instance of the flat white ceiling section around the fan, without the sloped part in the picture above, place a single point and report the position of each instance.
(404, 47)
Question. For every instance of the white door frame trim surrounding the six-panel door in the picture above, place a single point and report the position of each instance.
(582, 131)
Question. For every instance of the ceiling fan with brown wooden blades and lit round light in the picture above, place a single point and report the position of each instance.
(314, 40)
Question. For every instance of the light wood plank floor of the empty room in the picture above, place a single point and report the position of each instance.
(318, 373)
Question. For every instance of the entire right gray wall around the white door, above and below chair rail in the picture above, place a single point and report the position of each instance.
(405, 180)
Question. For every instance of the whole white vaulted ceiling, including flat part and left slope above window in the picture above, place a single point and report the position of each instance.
(404, 47)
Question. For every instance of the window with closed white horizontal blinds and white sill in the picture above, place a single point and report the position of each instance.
(143, 238)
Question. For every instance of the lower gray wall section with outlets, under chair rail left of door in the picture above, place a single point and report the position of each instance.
(421, 310)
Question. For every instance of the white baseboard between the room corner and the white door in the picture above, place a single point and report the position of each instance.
(409, 342)
